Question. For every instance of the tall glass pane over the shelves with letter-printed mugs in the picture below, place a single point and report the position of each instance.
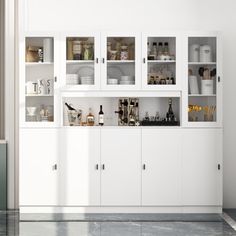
(39, 79)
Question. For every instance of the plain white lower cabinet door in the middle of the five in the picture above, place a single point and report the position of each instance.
(121, 166)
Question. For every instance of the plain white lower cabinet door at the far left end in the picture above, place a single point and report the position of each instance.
(39, 151)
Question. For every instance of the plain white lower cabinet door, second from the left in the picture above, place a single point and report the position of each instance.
(80, 169)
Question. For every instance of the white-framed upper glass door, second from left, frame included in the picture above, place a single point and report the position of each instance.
(81, 65)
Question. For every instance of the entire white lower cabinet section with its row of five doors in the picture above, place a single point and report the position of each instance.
(93, 166)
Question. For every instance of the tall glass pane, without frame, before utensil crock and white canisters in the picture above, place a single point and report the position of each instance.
(202, 73)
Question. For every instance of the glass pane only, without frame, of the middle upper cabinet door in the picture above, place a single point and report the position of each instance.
(120, 60)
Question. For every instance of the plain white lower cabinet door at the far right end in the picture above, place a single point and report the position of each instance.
(202, 177)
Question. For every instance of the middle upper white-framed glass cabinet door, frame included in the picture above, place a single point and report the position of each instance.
(120, 61)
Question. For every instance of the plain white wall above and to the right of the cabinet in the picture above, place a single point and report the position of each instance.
(153, 15)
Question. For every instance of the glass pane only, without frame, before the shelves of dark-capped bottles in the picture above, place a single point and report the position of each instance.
(161, 55)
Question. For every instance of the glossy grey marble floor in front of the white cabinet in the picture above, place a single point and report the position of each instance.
(117, 226)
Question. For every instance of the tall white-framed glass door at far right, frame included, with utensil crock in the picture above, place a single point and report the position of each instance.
(204, 81)
